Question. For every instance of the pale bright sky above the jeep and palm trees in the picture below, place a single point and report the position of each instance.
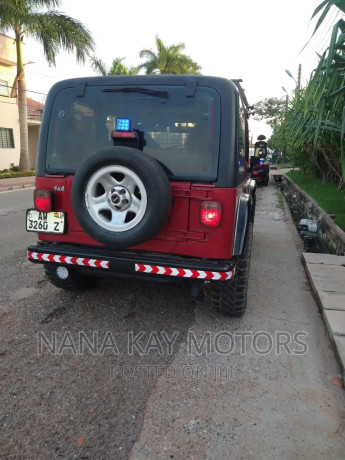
(249, 39)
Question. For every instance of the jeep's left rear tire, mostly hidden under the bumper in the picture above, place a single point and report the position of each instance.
(73, 282)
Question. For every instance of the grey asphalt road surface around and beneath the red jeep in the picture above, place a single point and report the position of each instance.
(145, 371)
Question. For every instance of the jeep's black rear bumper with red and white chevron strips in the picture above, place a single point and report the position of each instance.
(104, 262)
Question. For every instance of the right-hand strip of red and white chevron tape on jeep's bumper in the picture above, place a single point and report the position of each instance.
(185, 273)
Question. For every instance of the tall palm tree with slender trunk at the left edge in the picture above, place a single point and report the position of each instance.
(55, 31)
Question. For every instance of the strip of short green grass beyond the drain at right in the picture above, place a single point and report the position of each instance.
(325, 194)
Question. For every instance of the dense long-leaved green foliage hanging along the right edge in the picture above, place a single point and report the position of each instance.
(313, 128)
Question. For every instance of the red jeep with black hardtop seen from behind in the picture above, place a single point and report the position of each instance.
(145, 176)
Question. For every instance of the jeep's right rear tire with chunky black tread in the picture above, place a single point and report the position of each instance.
(230, 297)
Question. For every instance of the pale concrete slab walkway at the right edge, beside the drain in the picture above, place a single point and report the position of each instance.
(326, 273)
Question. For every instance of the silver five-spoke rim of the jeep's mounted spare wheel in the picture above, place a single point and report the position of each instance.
(115, 198)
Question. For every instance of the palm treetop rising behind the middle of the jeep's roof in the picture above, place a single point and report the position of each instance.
(168, 60)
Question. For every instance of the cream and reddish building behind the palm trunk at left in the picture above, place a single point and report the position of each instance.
(9, 119)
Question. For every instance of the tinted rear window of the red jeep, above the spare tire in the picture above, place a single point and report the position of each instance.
(181, 132)
